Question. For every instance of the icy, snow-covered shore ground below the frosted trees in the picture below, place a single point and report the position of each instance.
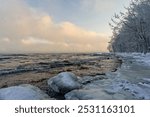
(131, 81)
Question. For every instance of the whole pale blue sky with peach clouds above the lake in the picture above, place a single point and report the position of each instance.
(49, 26)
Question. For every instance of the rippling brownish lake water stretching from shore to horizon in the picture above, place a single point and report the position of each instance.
(35, 69)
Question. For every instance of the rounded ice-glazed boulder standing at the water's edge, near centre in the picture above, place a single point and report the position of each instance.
(64, 82)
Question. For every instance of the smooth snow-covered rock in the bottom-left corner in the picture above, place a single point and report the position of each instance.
(22, 92)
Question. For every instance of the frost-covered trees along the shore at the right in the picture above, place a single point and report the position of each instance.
(131, 29)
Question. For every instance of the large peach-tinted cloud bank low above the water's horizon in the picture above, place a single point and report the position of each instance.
(25, 30)
